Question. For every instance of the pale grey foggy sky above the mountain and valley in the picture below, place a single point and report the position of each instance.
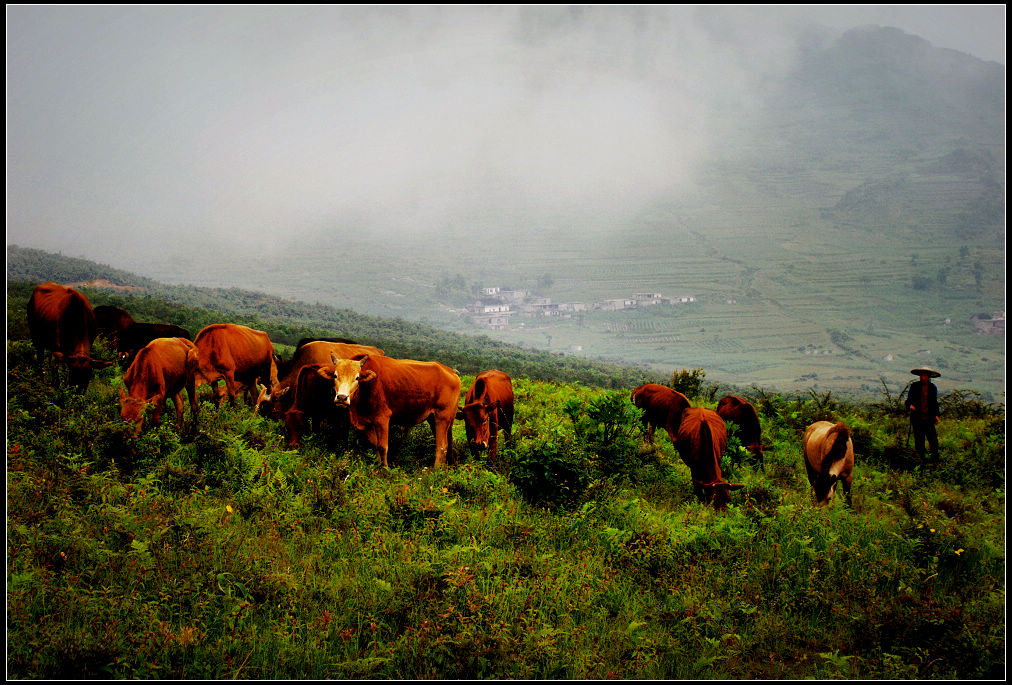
(135, 133)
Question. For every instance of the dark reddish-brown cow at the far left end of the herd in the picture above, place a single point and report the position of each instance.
(61, 320)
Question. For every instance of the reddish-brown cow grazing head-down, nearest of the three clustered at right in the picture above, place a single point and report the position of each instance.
(702, 440)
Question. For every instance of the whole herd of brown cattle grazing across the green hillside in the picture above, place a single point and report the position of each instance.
(347, 384)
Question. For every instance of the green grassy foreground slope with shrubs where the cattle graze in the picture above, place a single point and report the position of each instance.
(579, 553)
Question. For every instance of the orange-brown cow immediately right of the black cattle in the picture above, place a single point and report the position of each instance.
(237, 355)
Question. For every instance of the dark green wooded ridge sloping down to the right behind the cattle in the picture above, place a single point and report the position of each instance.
(288, 321)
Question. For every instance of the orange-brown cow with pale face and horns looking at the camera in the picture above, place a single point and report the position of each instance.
(379, 391)
